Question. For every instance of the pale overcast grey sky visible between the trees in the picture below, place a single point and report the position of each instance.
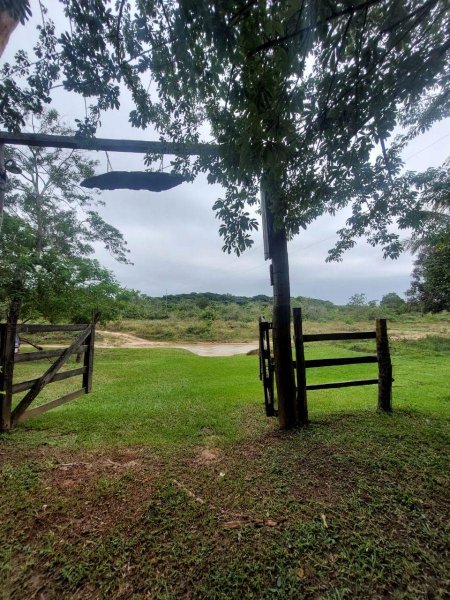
(173, 236)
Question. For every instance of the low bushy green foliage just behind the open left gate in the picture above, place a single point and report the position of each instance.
(53, 286)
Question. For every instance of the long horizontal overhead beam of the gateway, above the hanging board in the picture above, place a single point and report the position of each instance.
(110, 145)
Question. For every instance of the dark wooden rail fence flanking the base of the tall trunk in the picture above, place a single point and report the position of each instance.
(382, 358)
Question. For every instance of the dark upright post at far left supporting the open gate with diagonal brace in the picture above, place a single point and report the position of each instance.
(7, 348)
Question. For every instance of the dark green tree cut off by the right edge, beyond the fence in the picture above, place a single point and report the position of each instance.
(430, 287)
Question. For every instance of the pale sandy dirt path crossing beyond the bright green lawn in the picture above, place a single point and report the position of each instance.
(116, 339)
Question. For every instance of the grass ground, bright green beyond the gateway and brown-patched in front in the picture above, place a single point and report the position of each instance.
(169, 482)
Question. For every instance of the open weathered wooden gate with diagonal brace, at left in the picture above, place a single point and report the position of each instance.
(83, 344)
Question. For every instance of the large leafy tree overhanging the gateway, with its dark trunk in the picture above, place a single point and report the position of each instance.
(297, 95)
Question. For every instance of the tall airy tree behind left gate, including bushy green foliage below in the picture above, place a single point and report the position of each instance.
(50, 225)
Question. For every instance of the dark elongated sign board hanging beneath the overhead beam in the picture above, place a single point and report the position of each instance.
(134, 180)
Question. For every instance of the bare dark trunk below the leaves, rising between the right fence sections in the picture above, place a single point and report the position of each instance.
(282, 348)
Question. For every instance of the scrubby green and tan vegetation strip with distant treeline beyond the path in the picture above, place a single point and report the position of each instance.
(226, 318)
